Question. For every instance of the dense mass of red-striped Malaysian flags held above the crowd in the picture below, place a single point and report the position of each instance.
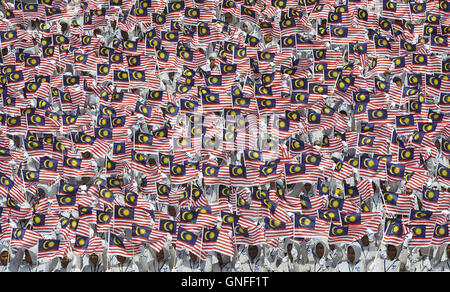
(242, 131)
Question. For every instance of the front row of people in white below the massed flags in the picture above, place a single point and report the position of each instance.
(290, 256)
